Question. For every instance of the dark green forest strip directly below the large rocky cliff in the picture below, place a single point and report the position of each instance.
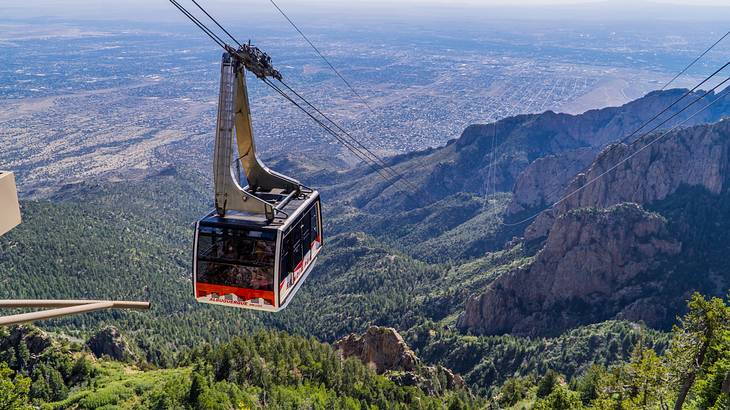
(487, 361)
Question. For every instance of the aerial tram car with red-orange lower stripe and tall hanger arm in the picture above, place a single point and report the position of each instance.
(259, 244)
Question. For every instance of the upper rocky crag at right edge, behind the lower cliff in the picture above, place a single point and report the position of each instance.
(694, 156)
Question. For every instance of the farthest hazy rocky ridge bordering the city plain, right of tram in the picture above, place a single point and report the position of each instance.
(464, 164)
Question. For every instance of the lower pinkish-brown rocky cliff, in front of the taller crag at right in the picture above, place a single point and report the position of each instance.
(596, 265)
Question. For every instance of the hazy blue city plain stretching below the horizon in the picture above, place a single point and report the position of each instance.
(80, 101)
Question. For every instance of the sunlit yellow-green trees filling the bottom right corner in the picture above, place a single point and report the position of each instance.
(693, 373)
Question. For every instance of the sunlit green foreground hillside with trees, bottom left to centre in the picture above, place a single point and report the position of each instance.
(264, 370)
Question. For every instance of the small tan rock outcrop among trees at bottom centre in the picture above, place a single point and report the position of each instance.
(385, 351)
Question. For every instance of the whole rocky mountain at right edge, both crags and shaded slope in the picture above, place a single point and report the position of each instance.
(601, 260)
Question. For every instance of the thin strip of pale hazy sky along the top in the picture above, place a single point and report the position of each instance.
(469, 10)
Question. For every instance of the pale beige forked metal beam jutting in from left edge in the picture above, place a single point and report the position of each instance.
(61, 308)
